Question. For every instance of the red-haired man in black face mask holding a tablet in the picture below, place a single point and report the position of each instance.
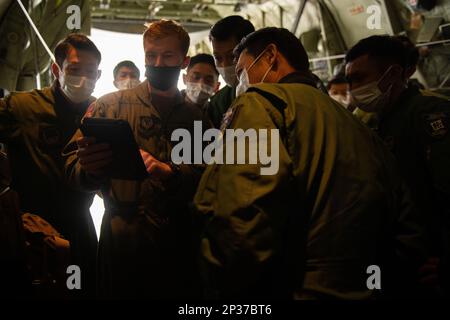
(147, 246)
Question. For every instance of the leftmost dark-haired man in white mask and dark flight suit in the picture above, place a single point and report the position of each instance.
(35, 126)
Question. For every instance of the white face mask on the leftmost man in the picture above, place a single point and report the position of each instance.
(77, 89)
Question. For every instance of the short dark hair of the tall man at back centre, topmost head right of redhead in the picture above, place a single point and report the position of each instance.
(231, 27)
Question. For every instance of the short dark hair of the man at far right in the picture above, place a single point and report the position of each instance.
(384, 49)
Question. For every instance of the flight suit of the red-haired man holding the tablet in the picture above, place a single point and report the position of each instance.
(147, 242)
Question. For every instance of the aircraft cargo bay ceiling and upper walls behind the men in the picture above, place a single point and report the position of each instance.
(327, 28)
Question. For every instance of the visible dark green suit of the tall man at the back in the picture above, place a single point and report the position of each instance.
(219, 104)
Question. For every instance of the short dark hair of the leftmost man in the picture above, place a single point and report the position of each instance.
(78, 41)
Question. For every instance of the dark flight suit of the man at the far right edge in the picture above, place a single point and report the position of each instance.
(416, 130)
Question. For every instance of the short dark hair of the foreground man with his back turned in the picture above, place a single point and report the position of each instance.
(287, 43)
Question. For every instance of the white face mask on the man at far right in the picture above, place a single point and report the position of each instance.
(369, 97)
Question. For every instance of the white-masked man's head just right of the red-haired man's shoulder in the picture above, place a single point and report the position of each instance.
(201, 79)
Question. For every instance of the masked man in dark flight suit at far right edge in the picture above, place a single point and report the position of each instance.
(414, 125)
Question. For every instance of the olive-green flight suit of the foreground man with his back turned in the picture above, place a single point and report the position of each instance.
(335, 207)
